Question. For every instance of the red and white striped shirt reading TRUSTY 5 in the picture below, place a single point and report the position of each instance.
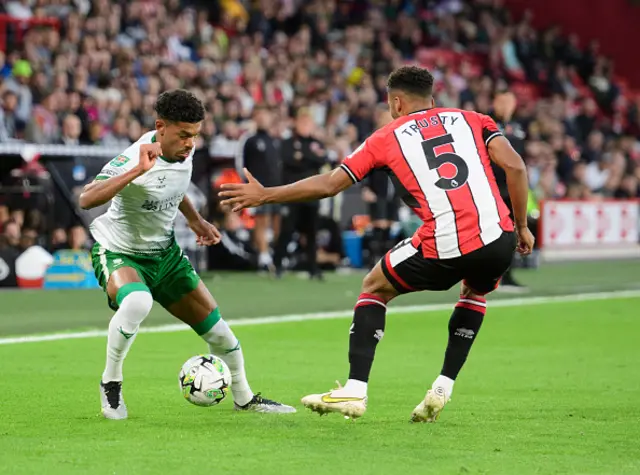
(439, 157)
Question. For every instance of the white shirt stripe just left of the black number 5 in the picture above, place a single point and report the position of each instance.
(445, 222)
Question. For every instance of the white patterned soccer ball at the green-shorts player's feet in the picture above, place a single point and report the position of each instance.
(205, 380)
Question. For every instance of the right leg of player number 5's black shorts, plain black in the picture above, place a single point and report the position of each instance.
(485, 267)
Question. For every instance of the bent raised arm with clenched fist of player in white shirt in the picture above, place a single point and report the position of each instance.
(100, 192)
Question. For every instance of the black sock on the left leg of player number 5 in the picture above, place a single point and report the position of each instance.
(366, 331)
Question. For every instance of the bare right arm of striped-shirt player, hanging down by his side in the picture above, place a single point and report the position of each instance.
(503, 154)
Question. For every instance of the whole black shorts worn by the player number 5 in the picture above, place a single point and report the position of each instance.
(408, 271)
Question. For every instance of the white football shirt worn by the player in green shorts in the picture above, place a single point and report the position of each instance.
(141, 217)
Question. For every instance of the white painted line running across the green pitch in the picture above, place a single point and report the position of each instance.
(178, 327)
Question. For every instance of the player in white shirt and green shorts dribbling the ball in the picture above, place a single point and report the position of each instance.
(137, 260)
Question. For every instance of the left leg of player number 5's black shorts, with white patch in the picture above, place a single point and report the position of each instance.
(408, 271)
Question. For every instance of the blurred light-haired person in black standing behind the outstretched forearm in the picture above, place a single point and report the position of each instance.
(302, 156)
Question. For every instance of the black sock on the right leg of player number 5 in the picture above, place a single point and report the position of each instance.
(464, 326)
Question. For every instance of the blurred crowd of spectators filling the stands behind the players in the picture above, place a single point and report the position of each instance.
(93, 77)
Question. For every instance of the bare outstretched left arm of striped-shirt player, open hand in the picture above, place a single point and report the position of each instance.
(252, 194)
